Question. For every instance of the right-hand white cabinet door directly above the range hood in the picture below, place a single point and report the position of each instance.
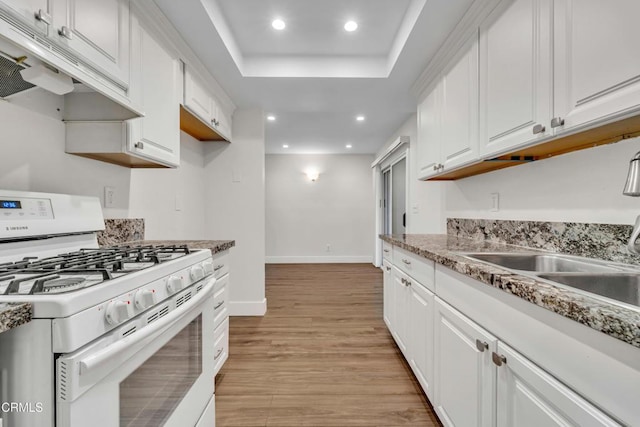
(98, 31)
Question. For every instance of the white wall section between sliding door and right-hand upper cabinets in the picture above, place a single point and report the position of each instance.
(426, 199)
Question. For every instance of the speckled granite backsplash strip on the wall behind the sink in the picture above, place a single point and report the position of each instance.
(601, 241)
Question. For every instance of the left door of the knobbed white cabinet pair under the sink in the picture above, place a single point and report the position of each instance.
(464, 373)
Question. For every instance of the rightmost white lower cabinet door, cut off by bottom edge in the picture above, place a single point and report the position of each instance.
(529, 397)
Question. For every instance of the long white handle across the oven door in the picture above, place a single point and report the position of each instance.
(118, 350)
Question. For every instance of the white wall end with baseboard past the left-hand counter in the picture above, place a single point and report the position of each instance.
(235, 207)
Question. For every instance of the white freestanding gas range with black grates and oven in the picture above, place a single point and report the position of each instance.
(120, 336)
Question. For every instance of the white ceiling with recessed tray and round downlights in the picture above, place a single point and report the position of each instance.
(314, 76)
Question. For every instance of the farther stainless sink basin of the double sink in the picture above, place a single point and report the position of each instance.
(545, 263)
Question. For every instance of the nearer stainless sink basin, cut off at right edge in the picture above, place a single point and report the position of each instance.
(623, 287)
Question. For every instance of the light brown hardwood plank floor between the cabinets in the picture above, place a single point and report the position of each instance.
(321, 356)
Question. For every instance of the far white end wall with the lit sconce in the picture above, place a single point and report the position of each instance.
(303, 217)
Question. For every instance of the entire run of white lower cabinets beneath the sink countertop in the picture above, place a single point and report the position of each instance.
(469, 372)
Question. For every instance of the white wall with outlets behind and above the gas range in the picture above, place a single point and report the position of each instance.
(32, 158)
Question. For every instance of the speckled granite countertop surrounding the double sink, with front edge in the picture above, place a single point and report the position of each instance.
(615, 320)
